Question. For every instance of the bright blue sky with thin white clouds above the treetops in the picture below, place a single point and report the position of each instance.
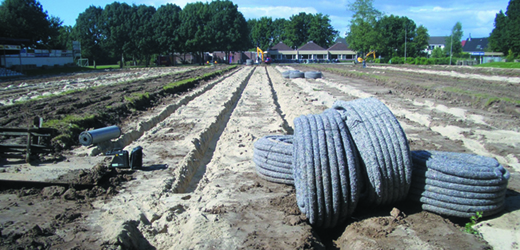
(439, 16)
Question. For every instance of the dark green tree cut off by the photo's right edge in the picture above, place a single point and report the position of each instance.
(513, 27)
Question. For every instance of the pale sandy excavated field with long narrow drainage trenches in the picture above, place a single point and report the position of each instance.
(198, 188)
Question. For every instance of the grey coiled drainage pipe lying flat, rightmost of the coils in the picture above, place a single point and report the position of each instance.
(458, 184)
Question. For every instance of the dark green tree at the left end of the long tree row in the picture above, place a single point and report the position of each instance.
(89, 32)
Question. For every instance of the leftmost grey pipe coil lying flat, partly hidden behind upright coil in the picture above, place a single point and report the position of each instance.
(272, 156)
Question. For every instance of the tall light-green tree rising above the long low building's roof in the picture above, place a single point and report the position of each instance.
(363, 33)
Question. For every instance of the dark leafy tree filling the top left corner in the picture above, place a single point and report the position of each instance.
(26, 19)
